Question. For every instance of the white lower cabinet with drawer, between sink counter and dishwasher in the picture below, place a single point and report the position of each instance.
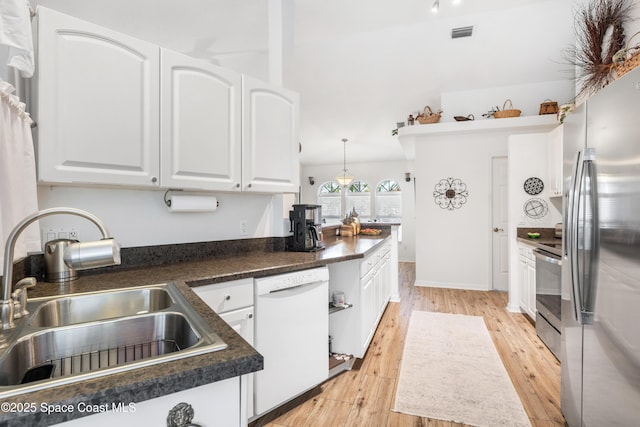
(233, 302)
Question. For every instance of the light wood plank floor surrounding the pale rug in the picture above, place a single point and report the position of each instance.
(364, 396)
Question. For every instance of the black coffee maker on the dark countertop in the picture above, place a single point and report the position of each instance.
(306, 227)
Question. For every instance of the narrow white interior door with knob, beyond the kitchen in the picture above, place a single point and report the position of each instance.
(500, 222)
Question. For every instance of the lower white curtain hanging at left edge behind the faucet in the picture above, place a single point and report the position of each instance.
(18, 189)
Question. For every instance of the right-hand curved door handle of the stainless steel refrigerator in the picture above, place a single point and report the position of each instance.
(591, 230)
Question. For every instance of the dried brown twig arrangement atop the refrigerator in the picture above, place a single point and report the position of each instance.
(598, 22)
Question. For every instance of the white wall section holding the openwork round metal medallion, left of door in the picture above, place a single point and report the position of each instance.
(453, 247)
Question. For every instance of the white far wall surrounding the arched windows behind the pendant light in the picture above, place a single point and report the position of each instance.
(372, 173)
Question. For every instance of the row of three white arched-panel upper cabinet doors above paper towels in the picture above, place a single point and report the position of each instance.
(115, 110)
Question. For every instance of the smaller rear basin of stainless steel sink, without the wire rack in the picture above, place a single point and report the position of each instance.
(84, 308)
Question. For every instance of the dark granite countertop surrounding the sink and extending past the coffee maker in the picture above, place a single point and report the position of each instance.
(154, 381)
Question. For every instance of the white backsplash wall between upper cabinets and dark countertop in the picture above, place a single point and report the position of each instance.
(140, 217)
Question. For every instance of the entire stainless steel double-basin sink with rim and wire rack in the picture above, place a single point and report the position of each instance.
(158, 326)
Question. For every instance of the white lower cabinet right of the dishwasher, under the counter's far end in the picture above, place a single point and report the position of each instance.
(367, 286)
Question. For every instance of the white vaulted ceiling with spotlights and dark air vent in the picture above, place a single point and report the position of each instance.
(360, 65)
